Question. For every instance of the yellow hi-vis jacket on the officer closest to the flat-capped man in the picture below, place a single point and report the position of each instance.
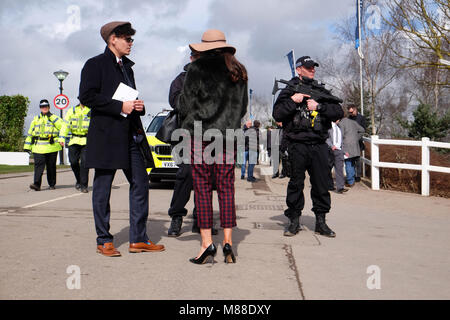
(76, 125)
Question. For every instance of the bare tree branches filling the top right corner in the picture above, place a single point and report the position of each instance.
(421, 32)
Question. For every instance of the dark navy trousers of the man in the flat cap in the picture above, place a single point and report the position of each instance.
(101, 193)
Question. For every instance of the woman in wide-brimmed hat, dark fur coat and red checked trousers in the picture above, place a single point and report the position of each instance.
(215, 96)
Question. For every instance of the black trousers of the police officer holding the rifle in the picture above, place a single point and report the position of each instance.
(314, 159)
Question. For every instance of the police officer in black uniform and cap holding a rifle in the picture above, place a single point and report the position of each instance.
(306, 110)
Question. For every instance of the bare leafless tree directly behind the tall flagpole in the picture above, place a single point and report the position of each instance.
(381, 81)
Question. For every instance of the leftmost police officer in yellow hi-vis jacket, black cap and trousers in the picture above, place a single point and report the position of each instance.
(42, 142)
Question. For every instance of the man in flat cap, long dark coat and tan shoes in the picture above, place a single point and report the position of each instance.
(113, 136)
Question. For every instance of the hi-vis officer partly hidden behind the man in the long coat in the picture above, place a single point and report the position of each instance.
(75, 128)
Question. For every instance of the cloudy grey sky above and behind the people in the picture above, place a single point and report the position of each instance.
(40, 37)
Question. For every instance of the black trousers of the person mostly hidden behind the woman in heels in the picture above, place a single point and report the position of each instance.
(182, 192)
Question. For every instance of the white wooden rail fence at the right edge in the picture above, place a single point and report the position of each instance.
(424, 167)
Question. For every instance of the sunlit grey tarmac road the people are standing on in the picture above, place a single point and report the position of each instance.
(393, 241)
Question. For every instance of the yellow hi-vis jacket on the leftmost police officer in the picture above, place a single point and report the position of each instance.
(44, 129)
